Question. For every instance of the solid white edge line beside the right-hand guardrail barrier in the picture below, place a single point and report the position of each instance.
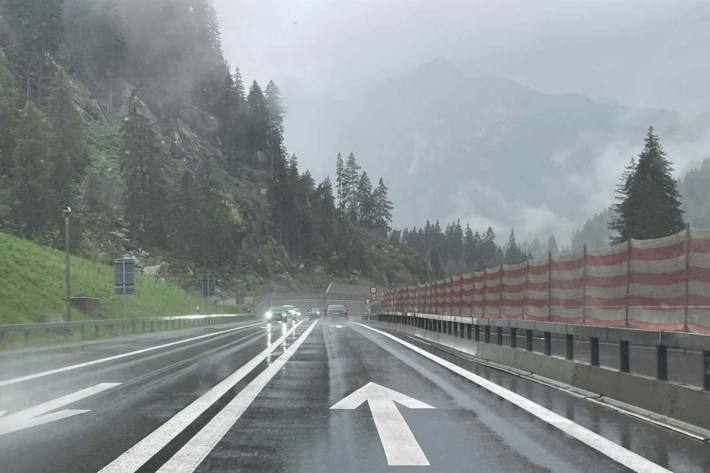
(601, 444)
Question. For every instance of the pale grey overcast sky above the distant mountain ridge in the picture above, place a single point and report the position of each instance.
(643, 52)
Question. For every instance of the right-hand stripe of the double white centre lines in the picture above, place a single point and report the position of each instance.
(189, 457)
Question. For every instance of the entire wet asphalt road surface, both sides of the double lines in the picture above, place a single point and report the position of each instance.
(287, 425)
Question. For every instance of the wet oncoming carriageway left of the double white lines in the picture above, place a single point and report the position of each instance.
(145, 390)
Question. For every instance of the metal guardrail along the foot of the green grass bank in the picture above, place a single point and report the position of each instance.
(136, 325)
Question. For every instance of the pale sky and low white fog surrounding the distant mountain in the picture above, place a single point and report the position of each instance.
(637, 54)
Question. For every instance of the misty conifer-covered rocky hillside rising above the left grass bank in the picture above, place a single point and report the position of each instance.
(198, 153)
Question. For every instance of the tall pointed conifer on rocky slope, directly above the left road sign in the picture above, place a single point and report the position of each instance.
(143, 168)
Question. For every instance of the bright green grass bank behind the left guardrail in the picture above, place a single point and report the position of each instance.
(32, 284)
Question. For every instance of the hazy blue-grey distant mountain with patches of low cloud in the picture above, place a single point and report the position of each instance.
(484, 149)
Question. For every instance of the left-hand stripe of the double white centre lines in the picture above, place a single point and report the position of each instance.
(135, 457)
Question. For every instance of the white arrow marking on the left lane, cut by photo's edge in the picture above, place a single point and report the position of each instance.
(42, 413)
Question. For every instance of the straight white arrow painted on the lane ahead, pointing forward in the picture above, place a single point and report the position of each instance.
(400, 445)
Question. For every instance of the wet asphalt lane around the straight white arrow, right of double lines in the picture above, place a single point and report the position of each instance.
(291, 426)
